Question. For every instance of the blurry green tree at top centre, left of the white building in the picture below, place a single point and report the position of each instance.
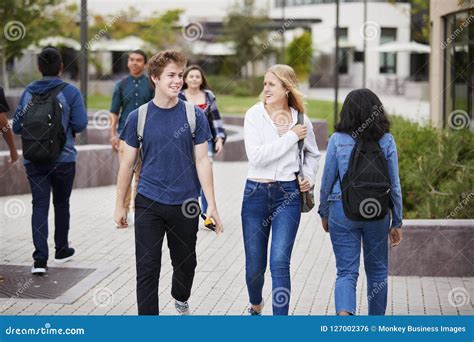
(243, 27)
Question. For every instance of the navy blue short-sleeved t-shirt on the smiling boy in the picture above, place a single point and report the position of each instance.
(168, 173)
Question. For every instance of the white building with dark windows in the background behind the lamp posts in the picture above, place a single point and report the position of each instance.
(386, 22)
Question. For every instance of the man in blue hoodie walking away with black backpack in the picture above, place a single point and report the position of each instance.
(48, 116)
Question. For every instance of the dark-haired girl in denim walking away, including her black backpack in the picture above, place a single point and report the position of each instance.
(361, 200)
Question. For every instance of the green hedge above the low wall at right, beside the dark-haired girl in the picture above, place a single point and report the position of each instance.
(436, 171)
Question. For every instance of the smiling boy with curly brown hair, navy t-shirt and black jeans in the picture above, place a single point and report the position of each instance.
(174, 167)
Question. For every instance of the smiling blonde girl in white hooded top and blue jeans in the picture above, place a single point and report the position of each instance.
(271, 201)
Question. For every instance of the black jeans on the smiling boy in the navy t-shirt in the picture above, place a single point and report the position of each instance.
(152, 221)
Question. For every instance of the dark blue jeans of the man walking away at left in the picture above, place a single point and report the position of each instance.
(44, 178)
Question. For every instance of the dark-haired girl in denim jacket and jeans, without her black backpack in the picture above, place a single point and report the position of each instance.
(362, 117)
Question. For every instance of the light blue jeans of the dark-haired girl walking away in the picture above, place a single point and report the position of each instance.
(347, 237)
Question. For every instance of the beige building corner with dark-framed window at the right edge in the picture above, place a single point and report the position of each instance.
(452, 63)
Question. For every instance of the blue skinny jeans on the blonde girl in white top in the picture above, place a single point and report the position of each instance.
(270, 206)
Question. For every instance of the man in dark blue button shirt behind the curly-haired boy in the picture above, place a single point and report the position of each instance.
(129, 94)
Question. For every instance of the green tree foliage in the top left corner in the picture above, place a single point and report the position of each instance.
(24, 22)
